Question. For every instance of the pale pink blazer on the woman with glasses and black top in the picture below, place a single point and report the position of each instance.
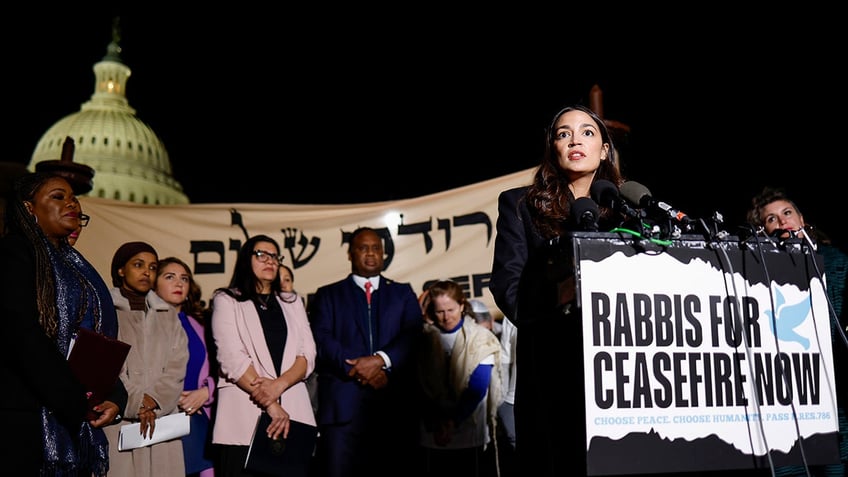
(240, 342)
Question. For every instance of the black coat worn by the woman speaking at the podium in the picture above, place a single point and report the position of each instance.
(550, 434)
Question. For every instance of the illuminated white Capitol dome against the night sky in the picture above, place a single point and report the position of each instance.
(129, 161)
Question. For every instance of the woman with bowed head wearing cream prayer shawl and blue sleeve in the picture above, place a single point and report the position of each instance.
(459, 368)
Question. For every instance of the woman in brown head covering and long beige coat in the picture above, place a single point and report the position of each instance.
(156, 366)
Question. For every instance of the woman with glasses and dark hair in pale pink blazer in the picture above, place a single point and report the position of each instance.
(265, 352)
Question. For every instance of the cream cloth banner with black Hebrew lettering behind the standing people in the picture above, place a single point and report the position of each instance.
(449, 234)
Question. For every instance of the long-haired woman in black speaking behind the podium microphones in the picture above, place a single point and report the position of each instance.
(550, 427)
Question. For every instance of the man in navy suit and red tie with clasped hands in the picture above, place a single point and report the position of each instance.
(365, 327)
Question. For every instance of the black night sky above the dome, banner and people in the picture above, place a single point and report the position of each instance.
(346, 106)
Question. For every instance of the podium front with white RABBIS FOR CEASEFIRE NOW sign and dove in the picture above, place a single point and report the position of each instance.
(704, 356)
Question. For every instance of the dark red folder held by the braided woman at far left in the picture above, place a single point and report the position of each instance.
(96, 360)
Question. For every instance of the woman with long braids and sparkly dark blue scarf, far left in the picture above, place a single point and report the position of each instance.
(48, 291)
